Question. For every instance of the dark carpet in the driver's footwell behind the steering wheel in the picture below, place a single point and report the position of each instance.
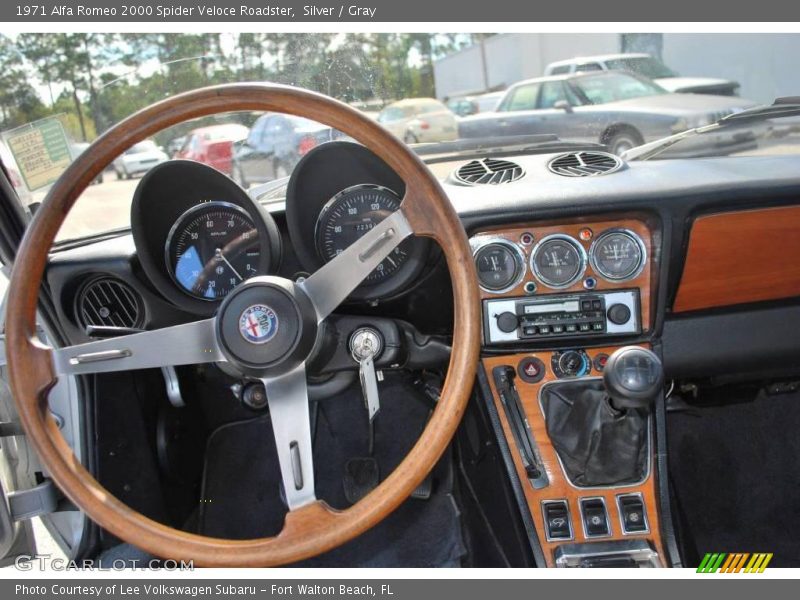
(241, 496)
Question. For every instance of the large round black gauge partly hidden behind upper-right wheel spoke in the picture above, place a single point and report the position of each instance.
(349, 215)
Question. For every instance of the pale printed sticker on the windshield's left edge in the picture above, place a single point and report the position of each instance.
(41, 151)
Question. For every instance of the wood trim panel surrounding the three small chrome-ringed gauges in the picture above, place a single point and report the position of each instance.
(572, 229)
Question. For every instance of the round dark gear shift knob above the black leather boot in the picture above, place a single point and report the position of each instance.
(633, 378)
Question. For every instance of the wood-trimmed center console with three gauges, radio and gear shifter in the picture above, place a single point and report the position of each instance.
(559, 301)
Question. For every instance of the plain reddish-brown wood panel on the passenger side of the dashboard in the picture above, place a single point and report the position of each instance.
(740, 257)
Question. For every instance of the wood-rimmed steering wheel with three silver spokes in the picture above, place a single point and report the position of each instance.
(311, 526)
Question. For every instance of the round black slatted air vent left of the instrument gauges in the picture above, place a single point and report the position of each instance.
(109, 302)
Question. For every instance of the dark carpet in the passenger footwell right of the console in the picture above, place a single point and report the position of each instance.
(735, 470)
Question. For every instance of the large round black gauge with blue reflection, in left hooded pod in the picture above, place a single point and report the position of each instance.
(211, 249)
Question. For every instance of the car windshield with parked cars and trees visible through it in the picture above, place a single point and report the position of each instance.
(60, 91)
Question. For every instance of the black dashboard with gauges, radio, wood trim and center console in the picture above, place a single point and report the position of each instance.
(694, 259)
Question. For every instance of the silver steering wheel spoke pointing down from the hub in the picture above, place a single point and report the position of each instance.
(287, 396)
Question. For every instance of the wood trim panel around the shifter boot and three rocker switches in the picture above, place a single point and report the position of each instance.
(560, 488)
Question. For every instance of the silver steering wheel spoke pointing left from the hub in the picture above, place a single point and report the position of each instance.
(191, 343)
